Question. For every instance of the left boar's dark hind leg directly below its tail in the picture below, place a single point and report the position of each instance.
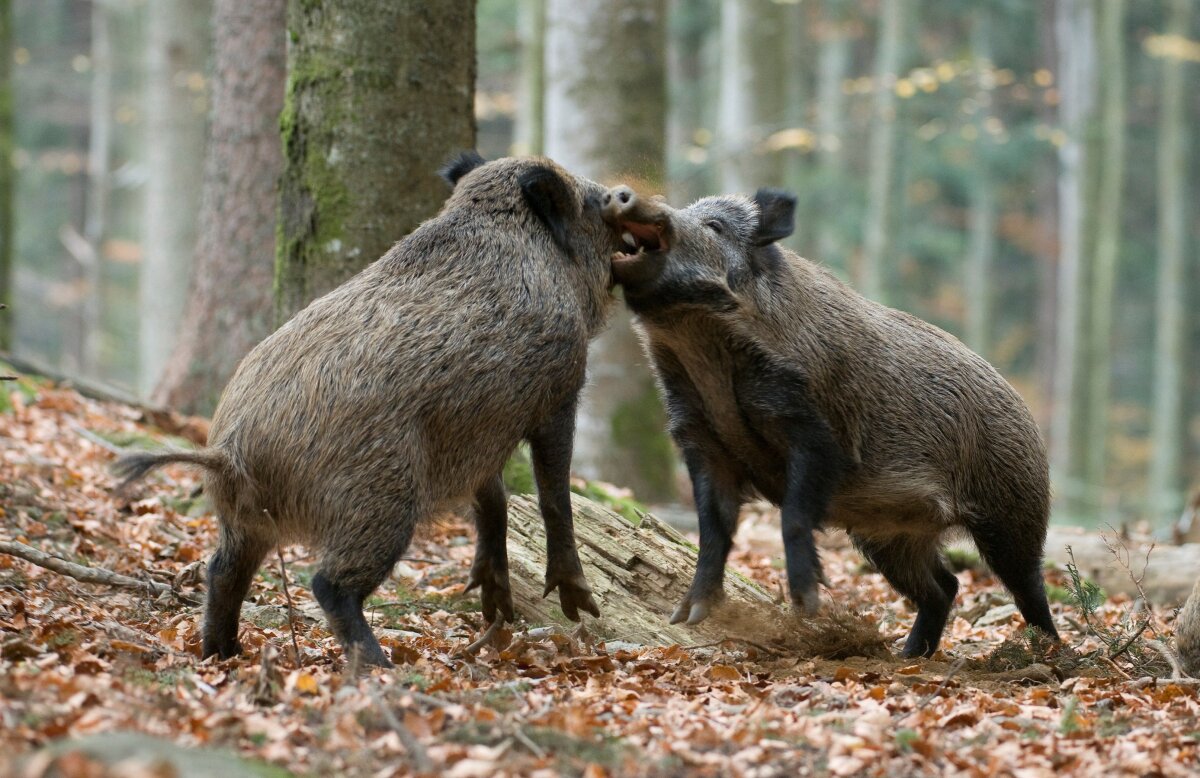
(231, 571)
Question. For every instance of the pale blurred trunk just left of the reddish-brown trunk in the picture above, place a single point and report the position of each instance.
(177, 55)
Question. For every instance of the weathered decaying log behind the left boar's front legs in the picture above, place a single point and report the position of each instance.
(638, 576)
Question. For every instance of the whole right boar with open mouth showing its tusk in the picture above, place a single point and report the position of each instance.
(782, 380)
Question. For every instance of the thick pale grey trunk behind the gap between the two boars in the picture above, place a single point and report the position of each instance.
(605, 93)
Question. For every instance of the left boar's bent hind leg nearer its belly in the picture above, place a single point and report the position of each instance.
(353, 566)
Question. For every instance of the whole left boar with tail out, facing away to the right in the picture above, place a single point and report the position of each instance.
(404, 392)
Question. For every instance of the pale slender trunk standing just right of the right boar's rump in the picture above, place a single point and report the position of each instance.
(1077, 86)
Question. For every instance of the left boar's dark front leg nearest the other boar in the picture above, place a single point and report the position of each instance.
(550, 448)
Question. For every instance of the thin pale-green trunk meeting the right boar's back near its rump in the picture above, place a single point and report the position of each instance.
(982, 220)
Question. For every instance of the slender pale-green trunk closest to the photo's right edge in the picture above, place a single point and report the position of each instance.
(1169, 430)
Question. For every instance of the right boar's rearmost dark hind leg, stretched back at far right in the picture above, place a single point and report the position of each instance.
(1017, 562)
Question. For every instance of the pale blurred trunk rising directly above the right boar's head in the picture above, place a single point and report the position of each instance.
(752, 94)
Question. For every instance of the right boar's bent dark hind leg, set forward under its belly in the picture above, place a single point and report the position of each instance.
(914, 566)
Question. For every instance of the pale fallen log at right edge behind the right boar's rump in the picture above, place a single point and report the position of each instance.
(1167, 578)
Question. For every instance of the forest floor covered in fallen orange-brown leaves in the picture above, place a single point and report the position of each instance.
(88, 661)
